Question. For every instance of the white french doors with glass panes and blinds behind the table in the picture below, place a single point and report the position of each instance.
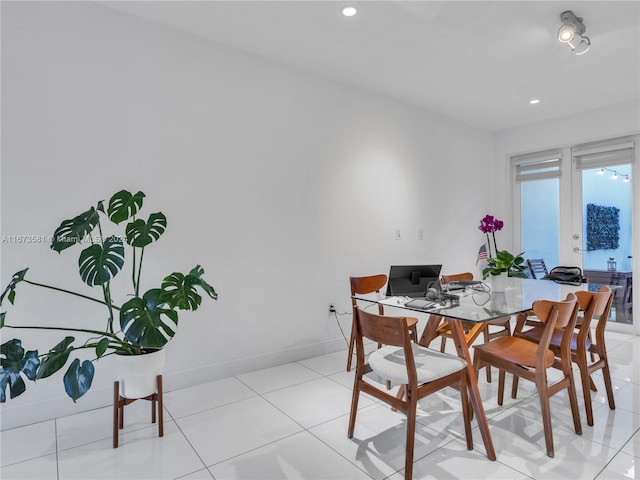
(574, 207)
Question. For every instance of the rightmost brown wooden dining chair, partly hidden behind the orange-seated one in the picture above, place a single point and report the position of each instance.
(593, 305)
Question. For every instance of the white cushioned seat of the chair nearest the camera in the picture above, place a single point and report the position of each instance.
(389, 363)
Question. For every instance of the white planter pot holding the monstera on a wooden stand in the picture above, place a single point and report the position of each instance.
(138, 374)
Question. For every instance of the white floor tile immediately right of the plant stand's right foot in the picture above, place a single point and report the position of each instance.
(225, 432)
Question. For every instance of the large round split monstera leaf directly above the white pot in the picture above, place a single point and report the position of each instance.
(144, 322)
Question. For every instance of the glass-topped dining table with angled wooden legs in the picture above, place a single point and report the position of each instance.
(476, 304)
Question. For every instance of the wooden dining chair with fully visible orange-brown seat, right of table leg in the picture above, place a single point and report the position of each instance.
(529, 360)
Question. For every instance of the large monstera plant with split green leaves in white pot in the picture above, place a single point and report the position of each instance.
(142, 324)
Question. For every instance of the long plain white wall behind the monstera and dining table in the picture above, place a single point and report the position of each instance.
(279, 184)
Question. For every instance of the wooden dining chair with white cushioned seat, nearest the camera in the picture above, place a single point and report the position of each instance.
(422, 371)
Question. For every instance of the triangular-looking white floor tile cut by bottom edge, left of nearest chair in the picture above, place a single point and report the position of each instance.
(289, 458)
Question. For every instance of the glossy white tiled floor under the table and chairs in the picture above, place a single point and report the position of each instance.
(291, 422)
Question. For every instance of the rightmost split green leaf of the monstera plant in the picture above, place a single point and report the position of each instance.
(179, 290)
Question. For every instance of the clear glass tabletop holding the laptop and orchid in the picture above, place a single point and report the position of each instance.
(479, 303)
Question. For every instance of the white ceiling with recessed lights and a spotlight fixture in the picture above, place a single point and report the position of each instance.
(479, 62)
